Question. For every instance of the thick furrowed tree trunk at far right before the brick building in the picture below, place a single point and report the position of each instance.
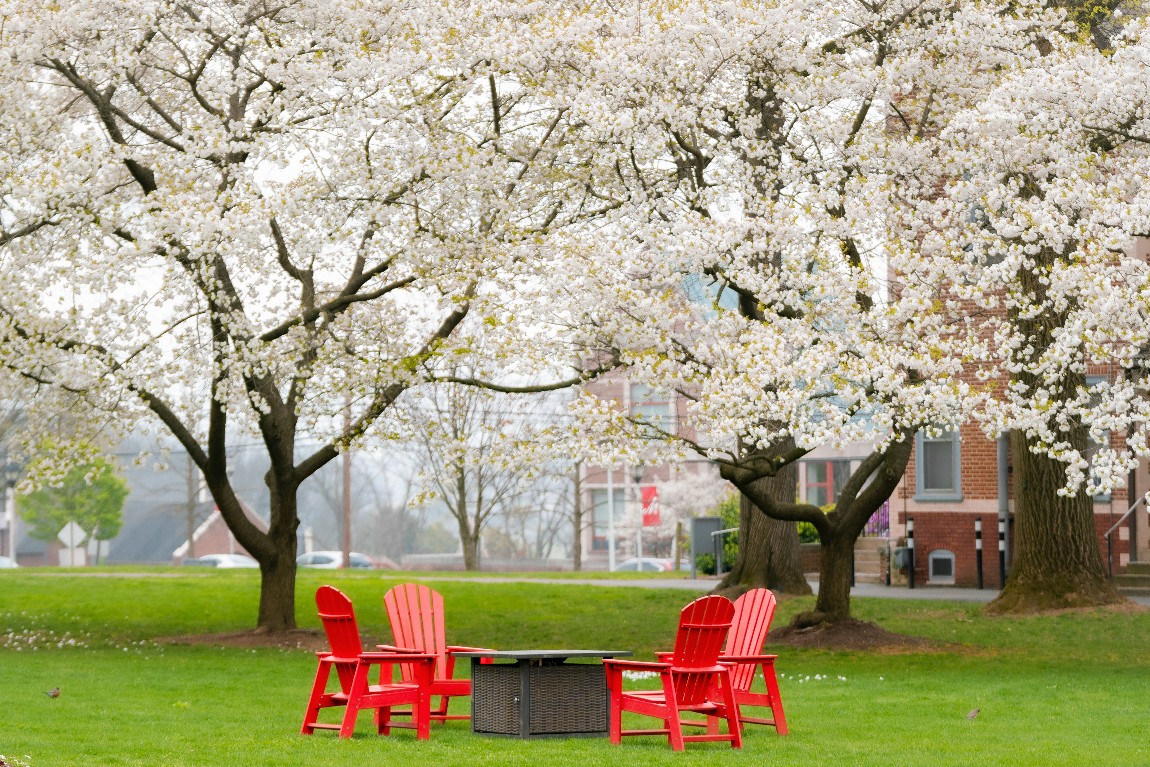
(1056, 558)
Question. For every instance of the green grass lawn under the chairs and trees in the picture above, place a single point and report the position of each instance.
(1069, 689)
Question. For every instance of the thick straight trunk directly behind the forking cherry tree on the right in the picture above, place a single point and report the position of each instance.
(769, 549)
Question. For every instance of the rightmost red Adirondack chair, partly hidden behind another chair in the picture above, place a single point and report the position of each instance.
(749, 628)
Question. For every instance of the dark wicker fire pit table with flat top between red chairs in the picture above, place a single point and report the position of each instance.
(540, 694)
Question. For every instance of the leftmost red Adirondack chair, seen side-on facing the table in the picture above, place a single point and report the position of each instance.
(354, 666)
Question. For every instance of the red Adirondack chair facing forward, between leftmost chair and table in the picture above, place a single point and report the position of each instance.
(416, 613)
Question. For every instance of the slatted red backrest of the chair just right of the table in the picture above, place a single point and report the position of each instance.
(703, 627)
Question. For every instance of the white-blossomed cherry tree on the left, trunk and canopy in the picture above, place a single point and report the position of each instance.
(236, 218)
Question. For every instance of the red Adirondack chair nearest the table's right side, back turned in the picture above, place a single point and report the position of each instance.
(689, 680)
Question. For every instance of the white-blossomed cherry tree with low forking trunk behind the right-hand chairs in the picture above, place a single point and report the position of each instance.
(766, 151)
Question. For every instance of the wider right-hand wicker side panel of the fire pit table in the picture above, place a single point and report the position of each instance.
(569, 700)
